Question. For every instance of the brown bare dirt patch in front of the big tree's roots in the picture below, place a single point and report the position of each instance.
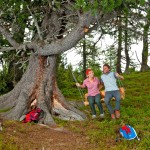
(39, 137)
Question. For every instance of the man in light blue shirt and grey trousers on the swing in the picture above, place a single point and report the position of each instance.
(108, 79)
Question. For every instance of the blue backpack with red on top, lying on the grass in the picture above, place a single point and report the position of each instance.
(128, 133)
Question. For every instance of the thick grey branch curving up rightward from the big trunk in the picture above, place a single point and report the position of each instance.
(74, 36)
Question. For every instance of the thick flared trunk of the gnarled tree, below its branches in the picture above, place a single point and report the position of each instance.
(39, 83)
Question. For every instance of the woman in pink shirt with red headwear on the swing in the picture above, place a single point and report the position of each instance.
(92, 84)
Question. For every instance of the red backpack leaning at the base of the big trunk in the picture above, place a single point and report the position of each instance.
(33, 115)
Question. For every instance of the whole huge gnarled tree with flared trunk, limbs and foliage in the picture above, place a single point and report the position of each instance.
(45, 29)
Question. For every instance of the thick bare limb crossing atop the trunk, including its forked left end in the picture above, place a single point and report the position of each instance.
(61, 45)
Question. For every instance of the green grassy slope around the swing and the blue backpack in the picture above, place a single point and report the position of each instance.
(135, 111)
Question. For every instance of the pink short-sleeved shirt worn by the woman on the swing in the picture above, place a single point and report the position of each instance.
(93, 87)
